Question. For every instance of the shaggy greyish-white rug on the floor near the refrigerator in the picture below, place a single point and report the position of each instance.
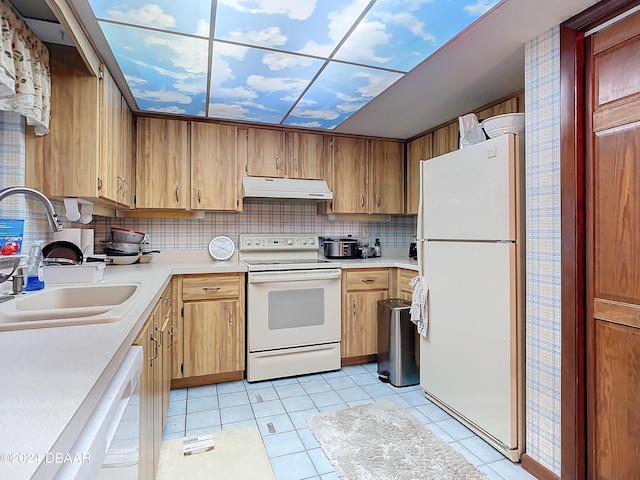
(379, 441)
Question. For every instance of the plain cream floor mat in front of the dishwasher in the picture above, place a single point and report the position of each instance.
(238, 454)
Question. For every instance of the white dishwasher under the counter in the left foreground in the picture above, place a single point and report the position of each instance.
(111, 437)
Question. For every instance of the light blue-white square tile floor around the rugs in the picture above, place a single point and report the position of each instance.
(280, 408)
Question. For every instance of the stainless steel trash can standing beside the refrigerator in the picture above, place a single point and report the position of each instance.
(396, 344)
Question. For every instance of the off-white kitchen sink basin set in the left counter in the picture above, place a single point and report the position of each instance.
(67, 305)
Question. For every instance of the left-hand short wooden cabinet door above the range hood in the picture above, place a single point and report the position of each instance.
(266, 157)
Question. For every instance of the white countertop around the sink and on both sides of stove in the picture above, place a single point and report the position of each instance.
(54, 377)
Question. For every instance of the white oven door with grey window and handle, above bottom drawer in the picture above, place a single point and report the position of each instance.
(293, 308)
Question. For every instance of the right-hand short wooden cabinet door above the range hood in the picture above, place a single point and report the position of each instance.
(305, 154)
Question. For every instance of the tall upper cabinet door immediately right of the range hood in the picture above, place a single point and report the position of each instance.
(349, 171)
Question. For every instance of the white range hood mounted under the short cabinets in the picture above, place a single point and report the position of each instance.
(265, 188)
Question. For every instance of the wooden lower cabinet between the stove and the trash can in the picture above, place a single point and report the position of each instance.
(361, 291)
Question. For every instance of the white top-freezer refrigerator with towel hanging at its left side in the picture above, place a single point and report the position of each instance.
(470, 246)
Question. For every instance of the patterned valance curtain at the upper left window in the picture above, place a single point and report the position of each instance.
(25, 78)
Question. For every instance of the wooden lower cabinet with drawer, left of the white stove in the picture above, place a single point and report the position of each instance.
(211, 329)
